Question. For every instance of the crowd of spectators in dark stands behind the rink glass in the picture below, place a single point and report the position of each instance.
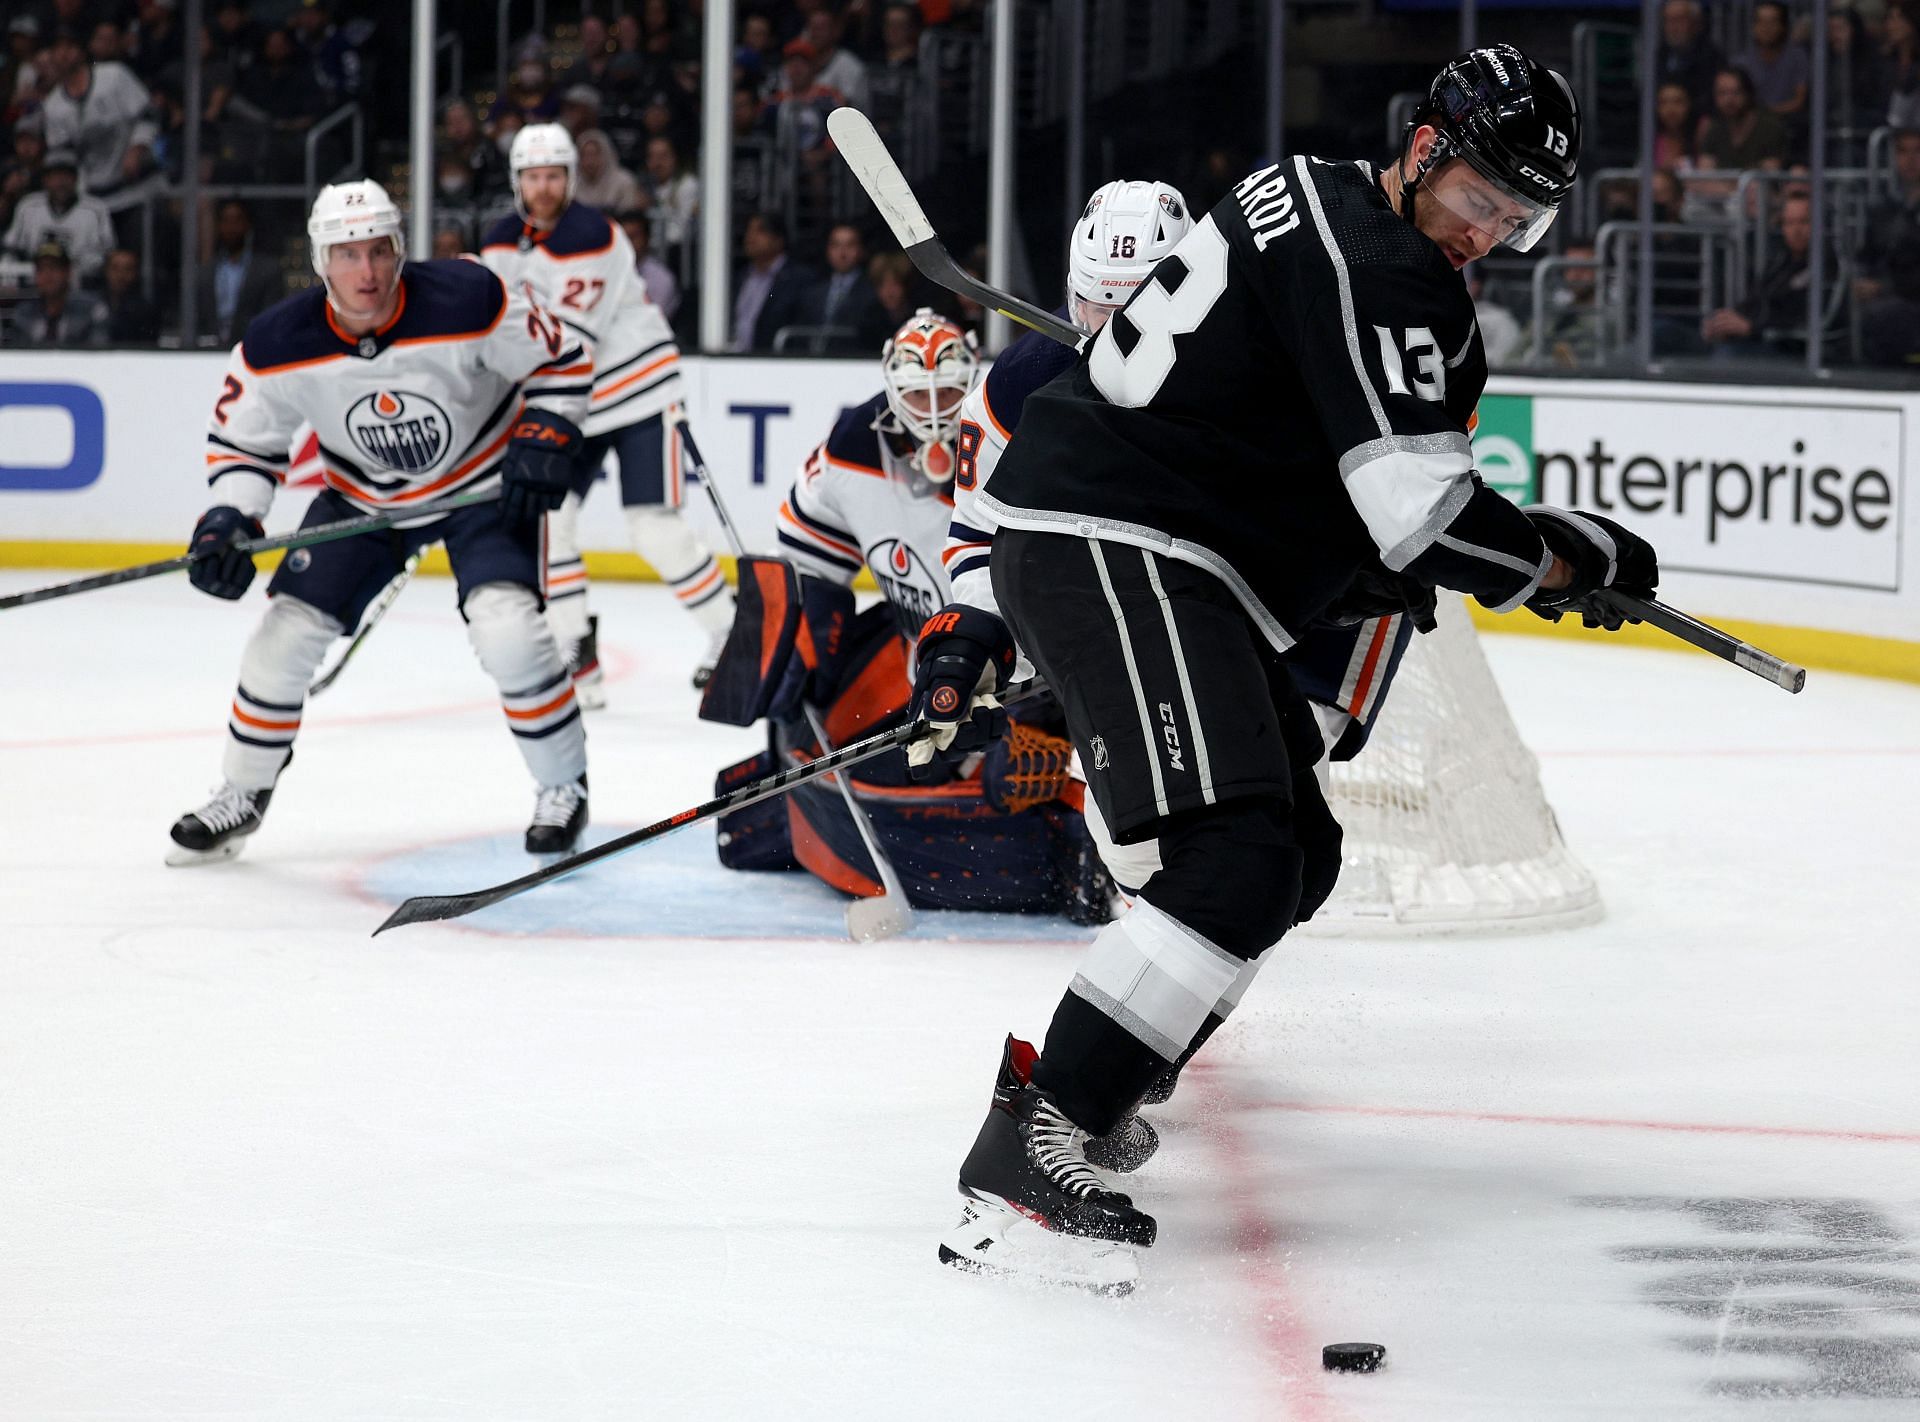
(93, 168)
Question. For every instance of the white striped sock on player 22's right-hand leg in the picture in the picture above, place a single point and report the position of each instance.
(517, 650)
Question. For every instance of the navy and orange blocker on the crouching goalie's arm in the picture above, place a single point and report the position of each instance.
(788, 638)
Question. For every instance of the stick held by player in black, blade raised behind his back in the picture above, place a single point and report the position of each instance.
(894, 197)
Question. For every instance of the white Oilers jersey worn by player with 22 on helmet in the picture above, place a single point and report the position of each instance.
(416, 412)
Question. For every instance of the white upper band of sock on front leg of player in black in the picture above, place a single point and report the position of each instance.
(1155, 978)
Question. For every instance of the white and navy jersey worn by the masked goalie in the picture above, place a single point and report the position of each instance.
(859, 504)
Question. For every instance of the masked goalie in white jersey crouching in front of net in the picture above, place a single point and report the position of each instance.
(999, 834)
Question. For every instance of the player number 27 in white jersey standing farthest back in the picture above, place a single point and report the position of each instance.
(583, 268)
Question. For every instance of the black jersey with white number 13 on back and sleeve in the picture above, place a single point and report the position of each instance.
(1285, 398)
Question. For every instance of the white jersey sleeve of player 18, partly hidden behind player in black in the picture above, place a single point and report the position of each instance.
(988, 421)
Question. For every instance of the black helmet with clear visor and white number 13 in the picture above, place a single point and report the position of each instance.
(1516, 124)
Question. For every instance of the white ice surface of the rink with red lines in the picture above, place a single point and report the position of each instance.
(661, 1143)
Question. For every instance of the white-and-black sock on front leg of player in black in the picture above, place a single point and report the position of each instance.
(1141, 995)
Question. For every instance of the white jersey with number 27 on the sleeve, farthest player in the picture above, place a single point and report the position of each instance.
(587, 273)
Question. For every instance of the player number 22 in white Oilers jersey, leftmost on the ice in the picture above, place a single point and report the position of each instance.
(421, 381)
